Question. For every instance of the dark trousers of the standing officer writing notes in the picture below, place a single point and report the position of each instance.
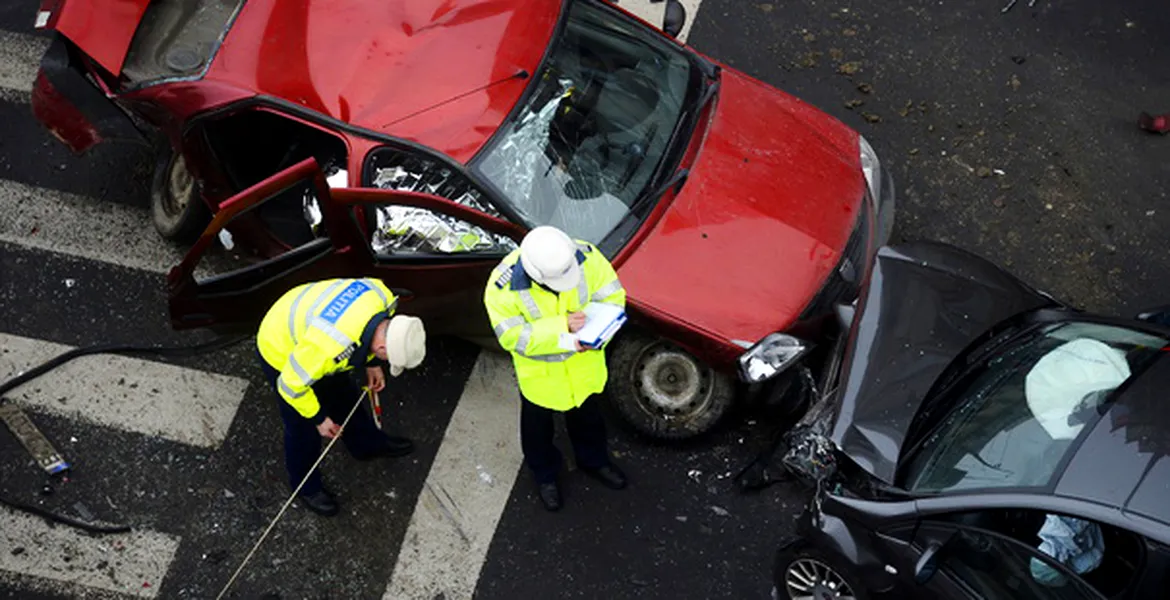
(587, 432)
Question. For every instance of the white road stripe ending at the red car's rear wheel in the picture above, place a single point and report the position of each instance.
(85, 227)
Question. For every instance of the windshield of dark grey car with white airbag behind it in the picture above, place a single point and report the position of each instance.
(1018, 415)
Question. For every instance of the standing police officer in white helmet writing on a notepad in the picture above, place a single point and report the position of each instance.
(535, 300)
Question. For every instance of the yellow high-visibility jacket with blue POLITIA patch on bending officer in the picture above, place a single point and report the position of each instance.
(320, 329)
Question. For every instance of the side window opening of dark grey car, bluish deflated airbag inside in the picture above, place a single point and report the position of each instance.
(1105, 557)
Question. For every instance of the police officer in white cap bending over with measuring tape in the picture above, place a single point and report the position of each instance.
(311, 342)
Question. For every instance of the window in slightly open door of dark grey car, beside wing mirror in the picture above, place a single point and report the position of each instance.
(996, 567)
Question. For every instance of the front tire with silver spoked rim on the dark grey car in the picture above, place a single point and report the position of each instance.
(800, 564)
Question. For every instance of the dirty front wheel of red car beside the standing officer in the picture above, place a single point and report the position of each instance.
(679, 398)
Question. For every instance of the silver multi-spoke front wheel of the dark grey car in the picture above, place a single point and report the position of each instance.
(808, 575)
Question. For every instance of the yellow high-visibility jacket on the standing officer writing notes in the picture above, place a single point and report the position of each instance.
(529, 320)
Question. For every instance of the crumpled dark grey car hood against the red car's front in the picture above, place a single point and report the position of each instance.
(926, 302)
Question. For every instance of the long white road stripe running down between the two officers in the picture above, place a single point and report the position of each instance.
(471, 480)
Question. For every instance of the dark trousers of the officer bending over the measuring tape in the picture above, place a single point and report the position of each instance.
(302, 442)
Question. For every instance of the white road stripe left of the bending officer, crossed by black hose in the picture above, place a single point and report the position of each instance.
(156, 399)
